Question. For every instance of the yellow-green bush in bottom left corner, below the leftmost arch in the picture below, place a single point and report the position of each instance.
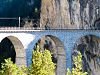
(9, 68)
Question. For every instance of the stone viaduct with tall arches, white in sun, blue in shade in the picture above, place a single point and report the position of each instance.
(24, 41)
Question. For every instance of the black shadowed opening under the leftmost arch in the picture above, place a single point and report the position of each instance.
(7, 50)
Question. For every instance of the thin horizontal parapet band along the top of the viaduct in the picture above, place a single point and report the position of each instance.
(14, 29)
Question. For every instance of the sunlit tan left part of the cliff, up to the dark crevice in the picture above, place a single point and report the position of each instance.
(54, 14)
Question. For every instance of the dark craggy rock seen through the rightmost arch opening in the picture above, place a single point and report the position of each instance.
(89, 46)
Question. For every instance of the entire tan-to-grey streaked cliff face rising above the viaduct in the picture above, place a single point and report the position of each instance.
(70, 14)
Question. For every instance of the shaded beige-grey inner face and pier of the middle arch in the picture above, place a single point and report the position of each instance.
(59, 51)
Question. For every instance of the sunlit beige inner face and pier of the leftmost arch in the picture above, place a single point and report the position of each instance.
(20, 58)
